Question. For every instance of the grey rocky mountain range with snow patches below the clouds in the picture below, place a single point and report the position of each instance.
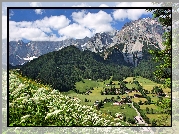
(131, 41)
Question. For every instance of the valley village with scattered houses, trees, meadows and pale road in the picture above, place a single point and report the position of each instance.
(125, 100)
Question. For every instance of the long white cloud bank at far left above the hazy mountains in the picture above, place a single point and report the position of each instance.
(36, 30)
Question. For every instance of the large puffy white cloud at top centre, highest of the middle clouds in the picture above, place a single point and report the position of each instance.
(96, 22)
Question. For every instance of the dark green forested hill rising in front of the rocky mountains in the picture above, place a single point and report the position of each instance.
(62, 69)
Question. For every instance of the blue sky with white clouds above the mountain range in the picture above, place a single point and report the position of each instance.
(59, 24)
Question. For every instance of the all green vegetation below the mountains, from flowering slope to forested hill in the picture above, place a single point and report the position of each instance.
(97, 82)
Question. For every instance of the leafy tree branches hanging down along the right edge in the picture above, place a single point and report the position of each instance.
(164, 69)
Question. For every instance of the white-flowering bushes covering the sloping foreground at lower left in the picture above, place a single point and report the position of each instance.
(33, 104)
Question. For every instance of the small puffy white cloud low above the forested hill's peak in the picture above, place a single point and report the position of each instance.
(75, 31)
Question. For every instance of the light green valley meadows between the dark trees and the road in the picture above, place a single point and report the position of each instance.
(93, 93)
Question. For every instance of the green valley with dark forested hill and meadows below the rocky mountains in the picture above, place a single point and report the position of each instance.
(124, 93)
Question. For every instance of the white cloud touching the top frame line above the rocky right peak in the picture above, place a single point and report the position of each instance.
(131, 14)
